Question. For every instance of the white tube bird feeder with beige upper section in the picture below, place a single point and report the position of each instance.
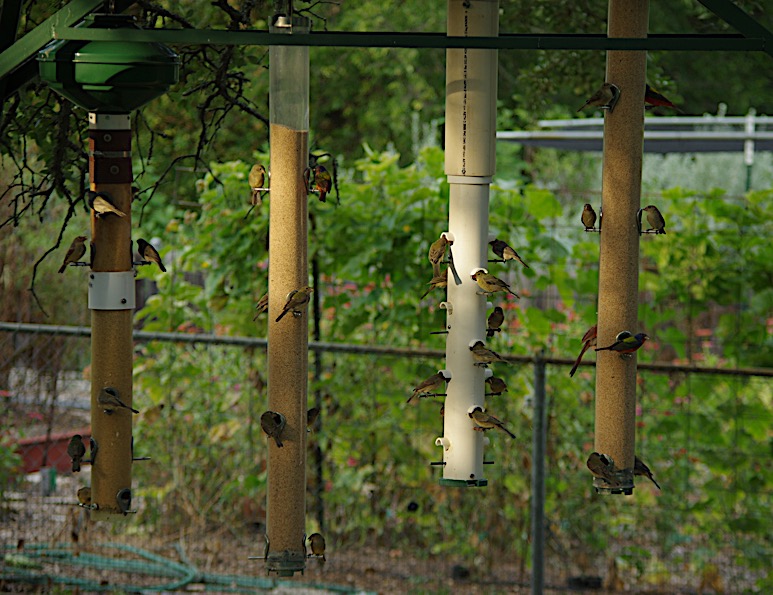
(471, 91)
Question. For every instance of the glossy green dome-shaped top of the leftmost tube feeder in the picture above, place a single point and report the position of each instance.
(112, 77)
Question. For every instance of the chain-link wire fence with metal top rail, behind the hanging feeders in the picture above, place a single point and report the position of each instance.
(371, 488)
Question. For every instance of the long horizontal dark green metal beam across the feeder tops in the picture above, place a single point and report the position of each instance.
(419, 40)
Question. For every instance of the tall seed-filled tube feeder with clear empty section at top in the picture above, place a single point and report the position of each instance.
(288, 271)
